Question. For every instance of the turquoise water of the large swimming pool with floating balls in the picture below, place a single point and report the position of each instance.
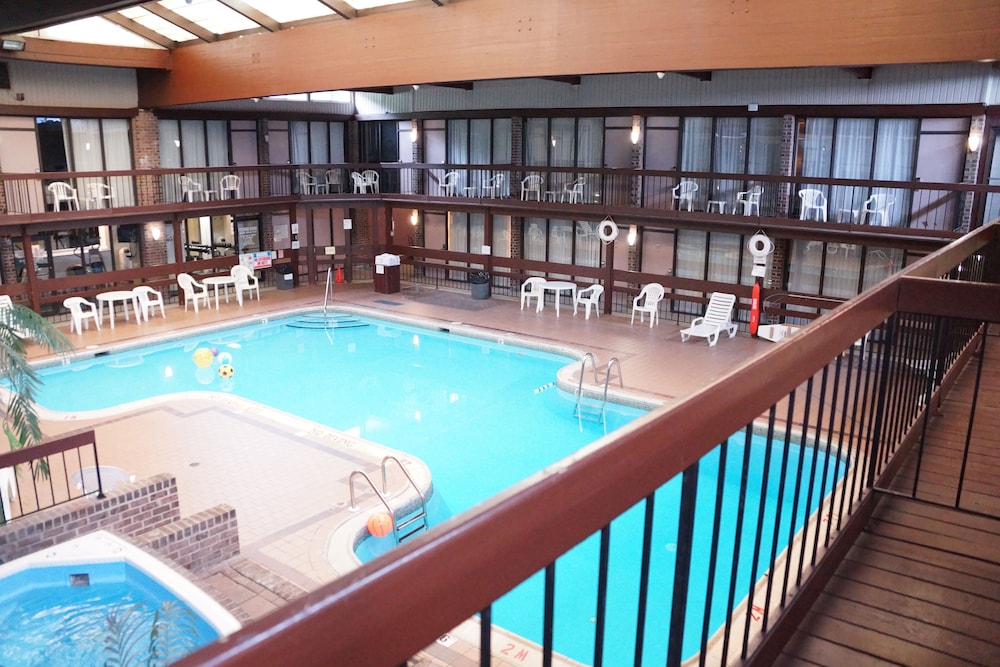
(464, 406)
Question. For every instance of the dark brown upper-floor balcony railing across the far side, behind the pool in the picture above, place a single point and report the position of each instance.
(900, 204)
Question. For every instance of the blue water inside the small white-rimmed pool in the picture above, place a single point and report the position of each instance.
(45, 620)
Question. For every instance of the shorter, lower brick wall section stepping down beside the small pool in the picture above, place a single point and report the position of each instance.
(197, 542)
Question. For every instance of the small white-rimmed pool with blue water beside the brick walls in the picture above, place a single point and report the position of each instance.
(97, 598)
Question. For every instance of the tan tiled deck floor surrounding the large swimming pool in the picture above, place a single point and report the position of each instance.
(289, 480)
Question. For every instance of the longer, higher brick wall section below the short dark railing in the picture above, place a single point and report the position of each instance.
(128, 511)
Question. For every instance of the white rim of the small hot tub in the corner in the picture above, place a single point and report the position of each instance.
(101, 547)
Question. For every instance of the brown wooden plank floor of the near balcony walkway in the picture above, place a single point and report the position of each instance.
(922, 584)
